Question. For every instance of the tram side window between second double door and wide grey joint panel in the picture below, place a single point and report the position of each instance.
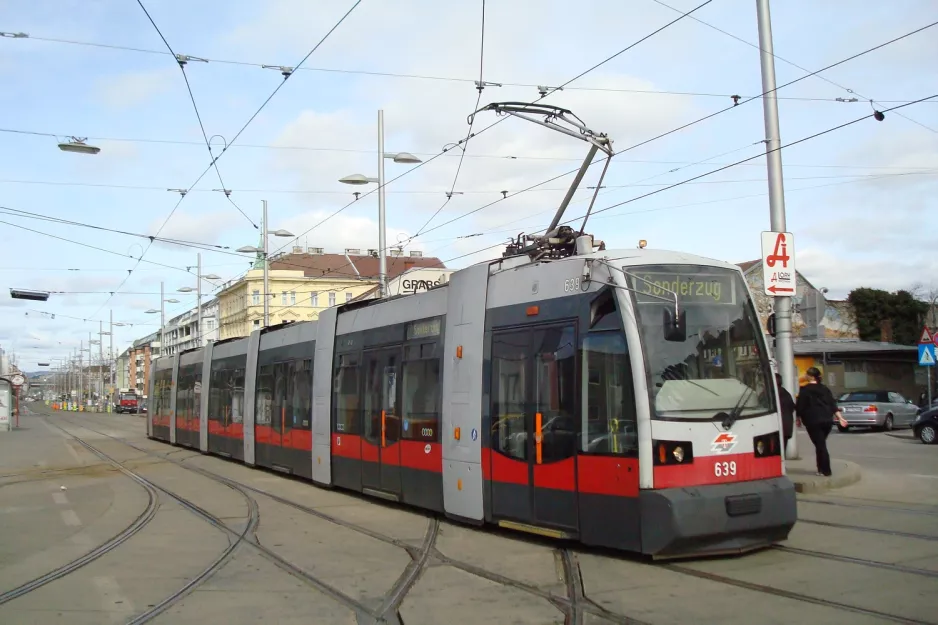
(421, 394)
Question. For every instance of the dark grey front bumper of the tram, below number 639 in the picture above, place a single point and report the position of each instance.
(717, 519)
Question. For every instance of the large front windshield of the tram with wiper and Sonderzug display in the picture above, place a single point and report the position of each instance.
(720, 367)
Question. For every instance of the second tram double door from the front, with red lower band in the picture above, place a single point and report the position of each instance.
(381, 450)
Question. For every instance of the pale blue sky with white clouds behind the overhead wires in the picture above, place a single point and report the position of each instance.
(860, 200)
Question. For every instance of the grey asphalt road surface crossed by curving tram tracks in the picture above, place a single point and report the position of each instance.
(178, 537)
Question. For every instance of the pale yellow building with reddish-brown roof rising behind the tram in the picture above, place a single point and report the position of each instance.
(302, 284)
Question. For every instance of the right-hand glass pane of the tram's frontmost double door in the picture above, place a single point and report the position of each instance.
(555, 391)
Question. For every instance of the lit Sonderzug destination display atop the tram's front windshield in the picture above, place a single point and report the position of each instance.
(691, 288)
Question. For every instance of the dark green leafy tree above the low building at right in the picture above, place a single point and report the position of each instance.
(903, 313)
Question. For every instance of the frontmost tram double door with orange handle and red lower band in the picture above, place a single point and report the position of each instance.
(534, 425)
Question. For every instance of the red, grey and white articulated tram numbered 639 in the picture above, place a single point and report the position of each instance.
(619, 398)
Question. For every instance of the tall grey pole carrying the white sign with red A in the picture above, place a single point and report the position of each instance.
(784, 348)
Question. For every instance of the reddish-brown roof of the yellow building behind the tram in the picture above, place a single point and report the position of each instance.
(337, 267)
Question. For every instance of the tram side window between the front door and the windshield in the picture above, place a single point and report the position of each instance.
(609, 421)
